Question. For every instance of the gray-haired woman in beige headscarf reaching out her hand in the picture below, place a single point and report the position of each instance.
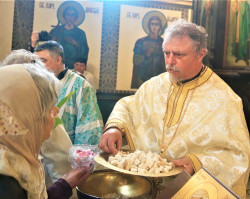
(27, 111)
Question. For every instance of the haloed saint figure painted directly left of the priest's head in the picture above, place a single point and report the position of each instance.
(148, 59)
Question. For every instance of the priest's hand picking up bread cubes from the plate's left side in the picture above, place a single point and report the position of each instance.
(111, 141)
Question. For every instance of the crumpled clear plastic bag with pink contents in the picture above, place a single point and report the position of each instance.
(83, 156)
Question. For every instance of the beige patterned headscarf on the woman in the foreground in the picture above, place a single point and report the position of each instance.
(21, 129)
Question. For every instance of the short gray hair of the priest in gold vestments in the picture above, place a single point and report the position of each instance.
(181, 27)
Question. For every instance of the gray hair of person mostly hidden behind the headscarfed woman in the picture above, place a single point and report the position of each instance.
(21, 56)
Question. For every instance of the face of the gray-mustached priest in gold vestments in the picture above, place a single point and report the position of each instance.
(182, 62)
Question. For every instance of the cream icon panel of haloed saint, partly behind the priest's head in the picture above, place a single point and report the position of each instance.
(140, 54)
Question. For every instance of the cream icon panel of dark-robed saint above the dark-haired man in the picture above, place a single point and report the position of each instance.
(82, 42)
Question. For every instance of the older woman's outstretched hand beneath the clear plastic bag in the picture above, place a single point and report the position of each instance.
(77, 176)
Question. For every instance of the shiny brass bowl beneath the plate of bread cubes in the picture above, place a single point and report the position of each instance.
(113, 184)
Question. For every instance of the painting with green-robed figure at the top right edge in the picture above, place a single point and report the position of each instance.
(237, 43)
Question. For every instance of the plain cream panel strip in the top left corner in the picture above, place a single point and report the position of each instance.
(6, 12)
